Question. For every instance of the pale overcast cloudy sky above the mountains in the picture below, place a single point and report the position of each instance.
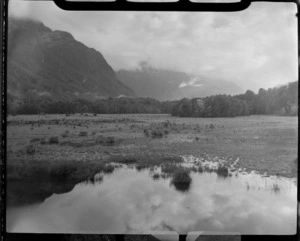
(254, 48)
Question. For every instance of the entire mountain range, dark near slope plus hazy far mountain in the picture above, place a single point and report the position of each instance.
(42, 62)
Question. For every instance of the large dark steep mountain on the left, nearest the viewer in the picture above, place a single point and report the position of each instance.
(42, 62)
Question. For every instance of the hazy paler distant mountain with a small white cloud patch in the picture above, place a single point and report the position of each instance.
(173, 85)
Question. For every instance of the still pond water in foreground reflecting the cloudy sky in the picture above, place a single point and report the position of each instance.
(131, 201)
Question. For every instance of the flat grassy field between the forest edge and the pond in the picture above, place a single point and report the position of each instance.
(73, 148)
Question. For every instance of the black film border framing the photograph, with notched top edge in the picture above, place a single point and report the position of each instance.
(118, 5)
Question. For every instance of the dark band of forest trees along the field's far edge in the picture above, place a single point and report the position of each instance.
(274, 101)
